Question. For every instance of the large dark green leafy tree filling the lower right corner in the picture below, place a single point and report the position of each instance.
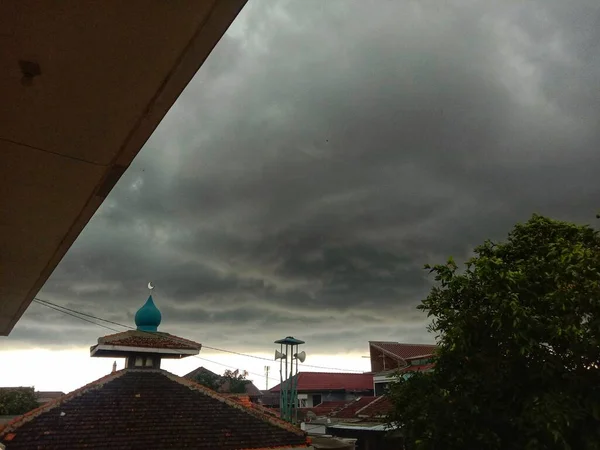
(519, 347)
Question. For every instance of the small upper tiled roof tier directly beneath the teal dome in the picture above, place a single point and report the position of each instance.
(146, 339)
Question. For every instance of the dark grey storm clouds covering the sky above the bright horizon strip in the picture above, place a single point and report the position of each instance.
(324, 153)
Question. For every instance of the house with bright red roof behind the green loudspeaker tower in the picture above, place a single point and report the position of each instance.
(315, 388)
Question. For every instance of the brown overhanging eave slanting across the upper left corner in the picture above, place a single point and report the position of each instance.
(83, 86)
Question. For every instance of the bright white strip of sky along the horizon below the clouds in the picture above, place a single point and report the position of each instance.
(67, 370)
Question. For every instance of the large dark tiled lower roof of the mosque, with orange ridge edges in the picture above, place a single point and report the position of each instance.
(141, 409)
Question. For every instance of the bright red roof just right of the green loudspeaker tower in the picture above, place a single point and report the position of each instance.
(322, 381)
